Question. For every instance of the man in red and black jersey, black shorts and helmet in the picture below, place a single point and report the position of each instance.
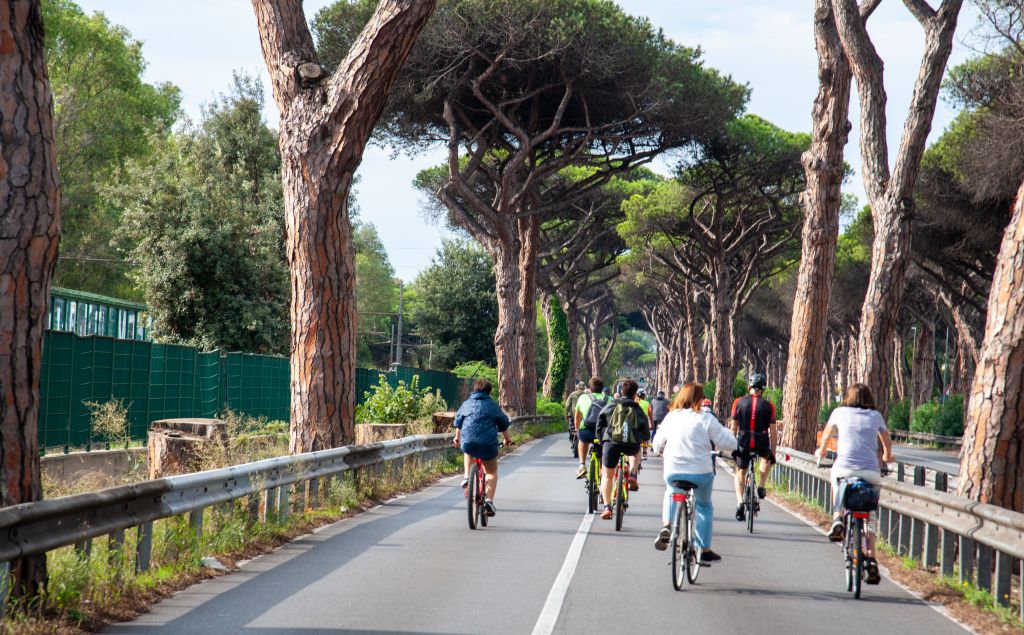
(751, 420)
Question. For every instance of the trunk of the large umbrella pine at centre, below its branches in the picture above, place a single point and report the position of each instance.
(516, 344)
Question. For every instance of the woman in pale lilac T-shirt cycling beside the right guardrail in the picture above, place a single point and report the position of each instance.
(861, 429)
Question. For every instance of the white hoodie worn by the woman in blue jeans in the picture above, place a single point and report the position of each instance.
(685, 439)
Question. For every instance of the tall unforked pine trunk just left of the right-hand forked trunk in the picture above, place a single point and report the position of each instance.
(825, 171)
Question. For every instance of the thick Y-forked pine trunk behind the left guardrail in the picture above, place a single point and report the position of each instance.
(326, 121)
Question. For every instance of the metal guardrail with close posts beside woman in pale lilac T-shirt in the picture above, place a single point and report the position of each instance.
(932, 527)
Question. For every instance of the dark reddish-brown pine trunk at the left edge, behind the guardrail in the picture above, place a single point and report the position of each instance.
(30, 225)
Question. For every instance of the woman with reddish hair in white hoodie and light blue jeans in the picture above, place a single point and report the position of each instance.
(685, 439)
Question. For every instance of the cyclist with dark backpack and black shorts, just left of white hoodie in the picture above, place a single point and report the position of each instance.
(622, 427)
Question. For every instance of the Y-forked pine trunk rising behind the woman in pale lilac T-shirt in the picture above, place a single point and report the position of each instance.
(891, 194)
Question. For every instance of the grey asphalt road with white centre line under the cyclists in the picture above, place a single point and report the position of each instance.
(413, 566)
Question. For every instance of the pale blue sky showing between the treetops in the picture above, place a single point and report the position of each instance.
(767, 45)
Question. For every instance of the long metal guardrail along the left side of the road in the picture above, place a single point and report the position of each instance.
(33, 529)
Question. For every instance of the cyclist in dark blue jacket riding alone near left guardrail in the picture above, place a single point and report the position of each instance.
(477, 427)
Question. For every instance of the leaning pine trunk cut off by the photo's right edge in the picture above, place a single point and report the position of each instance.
(993, 458)
